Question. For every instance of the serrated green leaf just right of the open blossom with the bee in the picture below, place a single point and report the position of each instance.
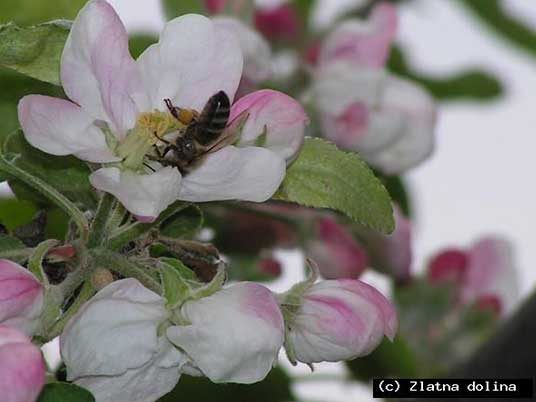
(325, 177)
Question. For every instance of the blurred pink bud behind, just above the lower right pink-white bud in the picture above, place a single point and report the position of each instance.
(336, 252)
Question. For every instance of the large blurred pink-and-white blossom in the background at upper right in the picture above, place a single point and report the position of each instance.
(388, 120)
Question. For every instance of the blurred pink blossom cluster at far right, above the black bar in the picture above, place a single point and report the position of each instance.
(484, 273)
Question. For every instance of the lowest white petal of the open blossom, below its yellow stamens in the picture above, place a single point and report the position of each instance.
(143, 195)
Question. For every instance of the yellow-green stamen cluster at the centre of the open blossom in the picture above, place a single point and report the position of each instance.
(150, 128)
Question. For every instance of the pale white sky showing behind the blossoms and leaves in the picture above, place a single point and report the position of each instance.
(479, 178)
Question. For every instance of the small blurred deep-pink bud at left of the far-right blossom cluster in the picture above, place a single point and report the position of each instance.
(448, 266)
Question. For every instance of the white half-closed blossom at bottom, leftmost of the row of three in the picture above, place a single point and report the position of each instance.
(114, 345)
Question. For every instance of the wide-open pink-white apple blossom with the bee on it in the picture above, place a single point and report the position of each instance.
(116, 113)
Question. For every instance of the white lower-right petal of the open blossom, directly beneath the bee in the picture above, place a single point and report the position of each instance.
(248, 174)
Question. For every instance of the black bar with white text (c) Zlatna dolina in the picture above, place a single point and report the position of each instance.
(452, 388)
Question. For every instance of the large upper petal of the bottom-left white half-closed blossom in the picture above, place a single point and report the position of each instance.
(113, 332)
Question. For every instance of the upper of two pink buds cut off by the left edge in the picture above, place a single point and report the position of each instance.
(21, 297)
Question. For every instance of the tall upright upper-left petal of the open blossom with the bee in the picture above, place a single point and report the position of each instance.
(97, 71)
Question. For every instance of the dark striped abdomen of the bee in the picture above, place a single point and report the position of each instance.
(213, 119)
